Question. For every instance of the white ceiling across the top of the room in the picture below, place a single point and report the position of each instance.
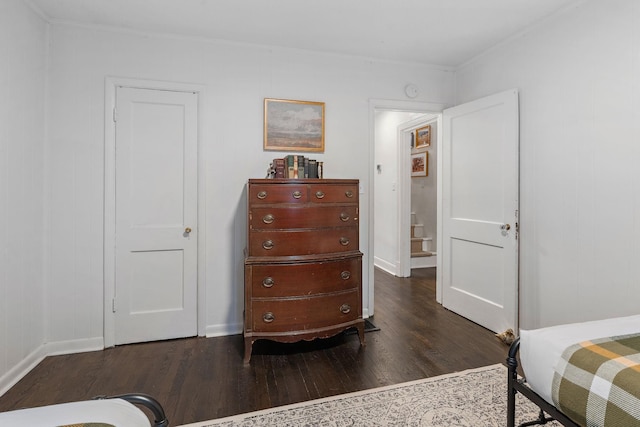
(444, 33)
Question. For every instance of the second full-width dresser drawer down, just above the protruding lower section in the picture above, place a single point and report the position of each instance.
(302, 242)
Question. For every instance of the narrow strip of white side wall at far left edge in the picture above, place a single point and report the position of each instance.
(23, 36)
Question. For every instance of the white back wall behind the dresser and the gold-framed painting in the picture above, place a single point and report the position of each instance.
(236, 78)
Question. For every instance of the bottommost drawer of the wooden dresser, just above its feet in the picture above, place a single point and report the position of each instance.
(303, 314)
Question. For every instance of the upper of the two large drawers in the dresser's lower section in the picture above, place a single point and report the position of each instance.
(281, 280)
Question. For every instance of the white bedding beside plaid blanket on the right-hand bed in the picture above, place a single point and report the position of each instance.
(540, 349)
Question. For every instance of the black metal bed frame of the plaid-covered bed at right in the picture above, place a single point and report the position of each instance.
(518, 385)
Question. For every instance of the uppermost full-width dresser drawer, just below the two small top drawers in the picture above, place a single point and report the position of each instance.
(273, 217)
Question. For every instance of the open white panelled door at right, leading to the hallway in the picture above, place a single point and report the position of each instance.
(480, 159)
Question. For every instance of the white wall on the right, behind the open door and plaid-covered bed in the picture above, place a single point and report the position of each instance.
(578, 76)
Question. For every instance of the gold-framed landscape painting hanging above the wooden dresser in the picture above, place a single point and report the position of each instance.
(293, 125)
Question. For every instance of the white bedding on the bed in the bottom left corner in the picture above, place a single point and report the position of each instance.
(116, 412)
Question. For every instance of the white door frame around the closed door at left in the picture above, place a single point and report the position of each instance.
(111, 85)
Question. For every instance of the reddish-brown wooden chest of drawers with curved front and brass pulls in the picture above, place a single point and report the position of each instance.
(303, 269)
